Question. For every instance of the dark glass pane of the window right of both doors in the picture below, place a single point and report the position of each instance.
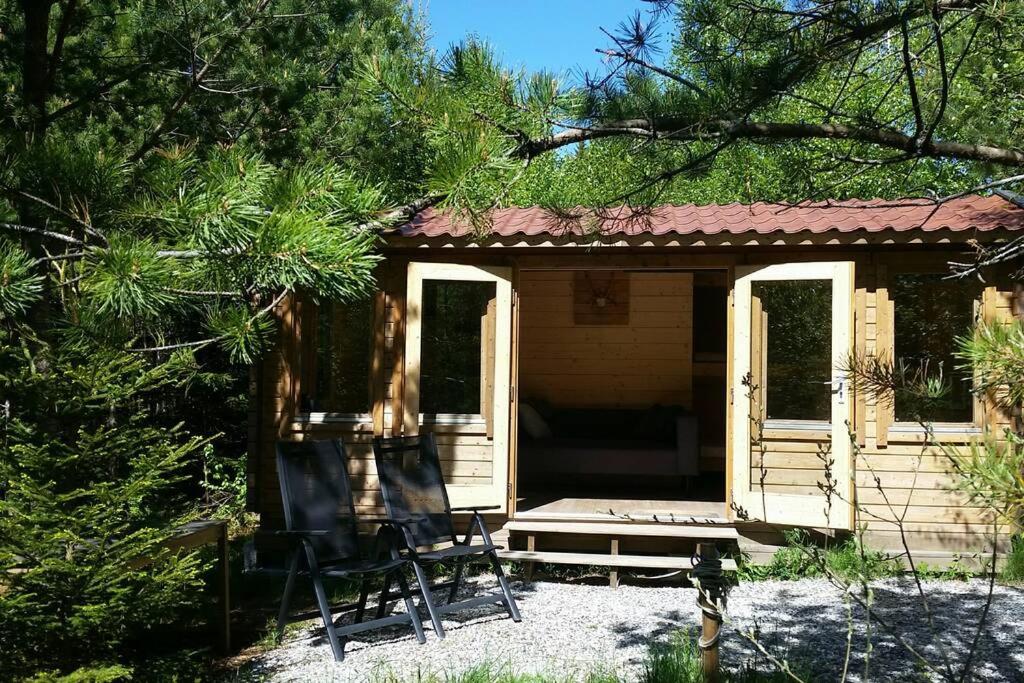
(929, 314)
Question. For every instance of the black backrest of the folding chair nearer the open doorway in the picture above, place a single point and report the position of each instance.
(413, 486)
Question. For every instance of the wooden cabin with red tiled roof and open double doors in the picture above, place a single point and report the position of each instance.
(631, 388)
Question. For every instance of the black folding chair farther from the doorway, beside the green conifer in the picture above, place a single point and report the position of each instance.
(320, 517)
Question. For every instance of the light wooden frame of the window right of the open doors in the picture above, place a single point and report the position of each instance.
(901, 431)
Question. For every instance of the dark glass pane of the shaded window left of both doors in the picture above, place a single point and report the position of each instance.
(345, 340)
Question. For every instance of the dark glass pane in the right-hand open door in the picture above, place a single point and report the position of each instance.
(796, 326)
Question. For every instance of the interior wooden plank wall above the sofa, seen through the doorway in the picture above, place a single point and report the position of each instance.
(645, 363)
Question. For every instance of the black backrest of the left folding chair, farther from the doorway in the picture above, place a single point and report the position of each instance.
(318, 497)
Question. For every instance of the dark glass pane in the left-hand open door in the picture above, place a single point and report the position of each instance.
(451, 365)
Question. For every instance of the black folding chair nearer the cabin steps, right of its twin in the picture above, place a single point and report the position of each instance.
(417, 505)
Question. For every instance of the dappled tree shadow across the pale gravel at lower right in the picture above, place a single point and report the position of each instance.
(792, 625)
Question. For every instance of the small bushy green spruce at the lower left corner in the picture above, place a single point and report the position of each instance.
(89, 495)
